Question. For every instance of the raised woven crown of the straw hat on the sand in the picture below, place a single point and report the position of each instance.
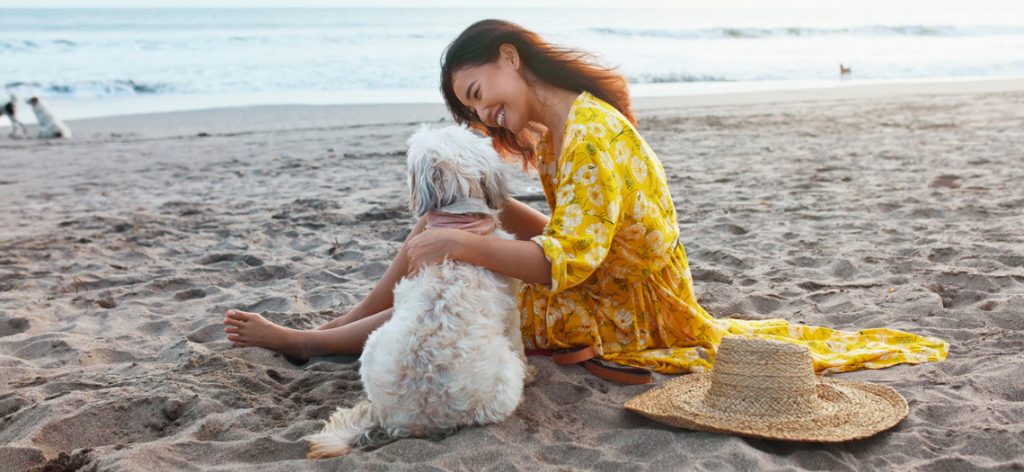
(763, 377)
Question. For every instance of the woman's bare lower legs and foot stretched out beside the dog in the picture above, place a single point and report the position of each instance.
(345, 335)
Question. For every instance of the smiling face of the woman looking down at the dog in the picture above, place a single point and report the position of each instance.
(496, 91)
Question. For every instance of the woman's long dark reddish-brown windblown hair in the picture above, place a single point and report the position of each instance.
(569, 69)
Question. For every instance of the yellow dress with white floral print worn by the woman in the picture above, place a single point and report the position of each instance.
(620, 281)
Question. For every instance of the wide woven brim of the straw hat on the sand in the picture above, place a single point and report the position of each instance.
(854, 411)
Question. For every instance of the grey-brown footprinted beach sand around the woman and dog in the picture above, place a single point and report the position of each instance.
(120, 251)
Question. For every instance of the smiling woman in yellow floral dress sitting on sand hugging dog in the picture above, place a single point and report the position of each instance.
(608, 270)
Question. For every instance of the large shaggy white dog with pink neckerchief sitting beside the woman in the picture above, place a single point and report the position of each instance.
(452, 354)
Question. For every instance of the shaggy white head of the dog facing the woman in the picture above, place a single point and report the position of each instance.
(452, 165)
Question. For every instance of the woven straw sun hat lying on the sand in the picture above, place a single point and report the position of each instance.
(769, 390)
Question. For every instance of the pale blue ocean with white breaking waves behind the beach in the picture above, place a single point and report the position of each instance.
(103, 62)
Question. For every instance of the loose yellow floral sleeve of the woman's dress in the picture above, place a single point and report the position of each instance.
(586, 216)
